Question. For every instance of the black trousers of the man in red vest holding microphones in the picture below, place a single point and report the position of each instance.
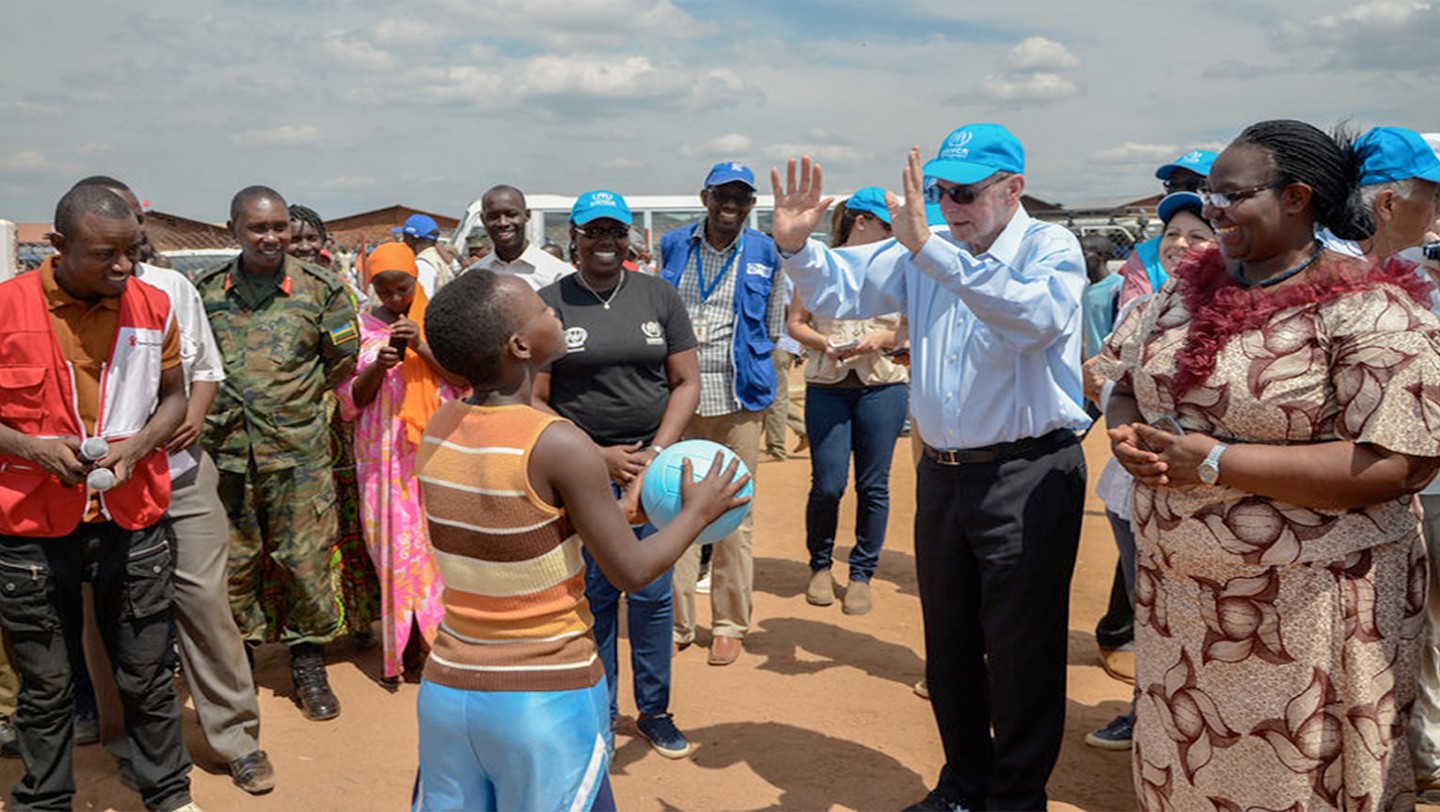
(41, 611)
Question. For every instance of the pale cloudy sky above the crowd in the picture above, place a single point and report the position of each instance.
(356, 106)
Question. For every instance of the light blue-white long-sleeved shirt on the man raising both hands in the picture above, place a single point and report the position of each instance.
(996, 339)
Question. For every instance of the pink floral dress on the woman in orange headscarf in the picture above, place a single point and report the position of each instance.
(391, 506)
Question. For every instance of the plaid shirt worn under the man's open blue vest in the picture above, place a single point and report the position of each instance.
(718, 315)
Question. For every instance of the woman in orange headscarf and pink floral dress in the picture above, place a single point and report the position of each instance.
(397, 388)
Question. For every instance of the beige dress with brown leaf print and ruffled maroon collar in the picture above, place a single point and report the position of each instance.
(1277, 646)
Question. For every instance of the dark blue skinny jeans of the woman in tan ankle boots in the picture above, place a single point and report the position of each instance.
(840, 421)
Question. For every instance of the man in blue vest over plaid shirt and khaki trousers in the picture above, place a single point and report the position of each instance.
(728, 276)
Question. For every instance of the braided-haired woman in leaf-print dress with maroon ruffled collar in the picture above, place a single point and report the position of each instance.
(1278, 405)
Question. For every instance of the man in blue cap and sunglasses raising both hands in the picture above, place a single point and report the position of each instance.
(994, 307)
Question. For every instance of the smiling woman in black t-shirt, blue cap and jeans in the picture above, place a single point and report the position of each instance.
(630, 379)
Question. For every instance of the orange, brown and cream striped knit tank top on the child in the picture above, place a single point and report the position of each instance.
(516, 617)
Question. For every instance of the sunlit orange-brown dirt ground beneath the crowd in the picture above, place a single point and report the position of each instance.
(817, 715)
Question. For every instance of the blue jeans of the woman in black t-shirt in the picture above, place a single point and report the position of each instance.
(652, 615)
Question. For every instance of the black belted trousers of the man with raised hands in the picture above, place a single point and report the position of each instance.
(996, 548)
